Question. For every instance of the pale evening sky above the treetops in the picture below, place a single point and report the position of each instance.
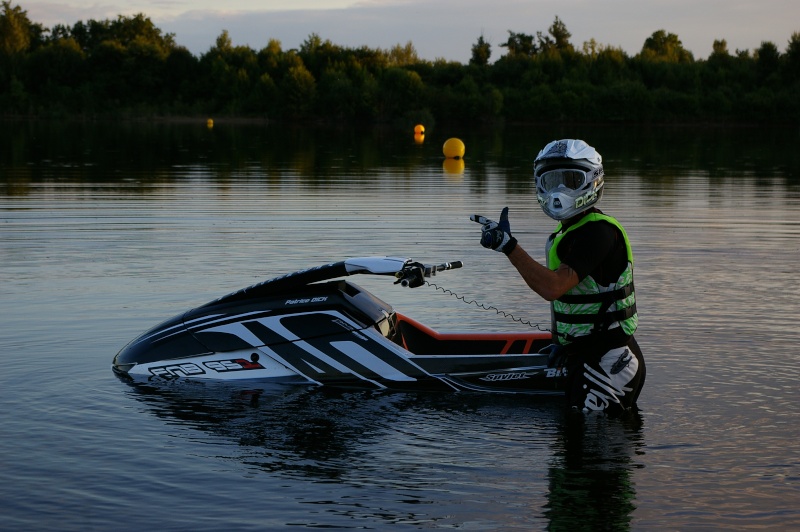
(443, 29)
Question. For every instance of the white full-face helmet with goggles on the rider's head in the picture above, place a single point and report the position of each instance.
(569, 178)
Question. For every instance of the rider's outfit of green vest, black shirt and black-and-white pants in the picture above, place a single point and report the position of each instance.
(595, 321)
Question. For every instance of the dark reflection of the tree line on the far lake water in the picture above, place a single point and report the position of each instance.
(168, 152)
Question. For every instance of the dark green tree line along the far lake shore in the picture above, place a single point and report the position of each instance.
(127, 67)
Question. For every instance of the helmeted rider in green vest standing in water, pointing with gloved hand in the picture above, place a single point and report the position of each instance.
(588, 279)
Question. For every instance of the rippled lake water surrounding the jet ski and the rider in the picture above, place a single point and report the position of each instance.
(107, 229)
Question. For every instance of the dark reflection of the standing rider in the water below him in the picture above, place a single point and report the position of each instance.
(590, 476)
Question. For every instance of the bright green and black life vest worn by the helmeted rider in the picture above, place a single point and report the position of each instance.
(589, 310)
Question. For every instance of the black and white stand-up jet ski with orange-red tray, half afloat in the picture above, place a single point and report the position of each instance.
(314, 327)
